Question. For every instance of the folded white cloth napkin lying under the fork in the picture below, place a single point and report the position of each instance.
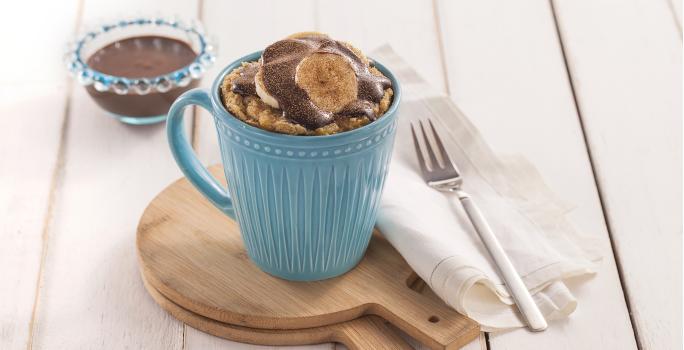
(432, 232)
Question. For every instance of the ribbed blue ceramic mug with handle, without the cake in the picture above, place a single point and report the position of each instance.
(306, 205)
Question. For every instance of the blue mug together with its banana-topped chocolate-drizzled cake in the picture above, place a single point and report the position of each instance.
(305, 205)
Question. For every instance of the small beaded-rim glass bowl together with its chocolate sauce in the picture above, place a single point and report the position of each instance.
(134, 69)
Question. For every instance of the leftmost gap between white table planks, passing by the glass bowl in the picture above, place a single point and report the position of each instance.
(55, 180)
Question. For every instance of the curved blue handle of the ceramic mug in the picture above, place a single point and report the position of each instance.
(185, 156)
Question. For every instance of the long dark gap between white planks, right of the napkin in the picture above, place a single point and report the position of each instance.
(592, 164)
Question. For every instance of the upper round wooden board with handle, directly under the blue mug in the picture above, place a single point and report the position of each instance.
(193, 255)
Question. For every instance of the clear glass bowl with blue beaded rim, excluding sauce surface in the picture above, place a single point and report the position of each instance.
(139, 100)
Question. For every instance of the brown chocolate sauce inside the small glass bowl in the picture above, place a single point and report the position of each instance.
(141, 57)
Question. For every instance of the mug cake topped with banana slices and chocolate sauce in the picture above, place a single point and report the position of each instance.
(308, 84)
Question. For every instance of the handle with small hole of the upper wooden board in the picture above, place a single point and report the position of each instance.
(430, 321)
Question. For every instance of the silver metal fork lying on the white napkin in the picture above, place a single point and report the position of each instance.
(446, 177)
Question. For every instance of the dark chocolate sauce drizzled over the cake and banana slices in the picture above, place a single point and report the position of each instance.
(279, 64)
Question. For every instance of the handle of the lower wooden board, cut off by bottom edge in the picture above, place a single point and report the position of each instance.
(369, 332)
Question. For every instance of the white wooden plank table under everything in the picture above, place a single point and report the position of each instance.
(589, 90)
